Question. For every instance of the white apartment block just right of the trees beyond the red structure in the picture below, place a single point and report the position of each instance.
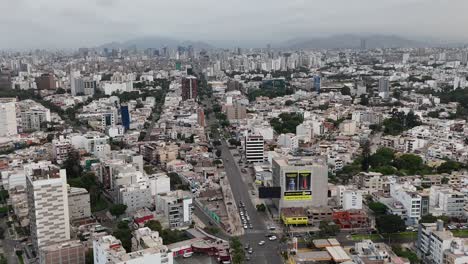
(410, 199)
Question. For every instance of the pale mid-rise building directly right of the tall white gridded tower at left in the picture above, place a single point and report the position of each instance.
(79, 205)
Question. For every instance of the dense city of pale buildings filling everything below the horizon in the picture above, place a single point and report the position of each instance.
(190, 154)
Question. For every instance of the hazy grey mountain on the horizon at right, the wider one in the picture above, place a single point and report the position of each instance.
(352, 41)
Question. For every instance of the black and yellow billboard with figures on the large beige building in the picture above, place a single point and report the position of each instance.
(297, 185)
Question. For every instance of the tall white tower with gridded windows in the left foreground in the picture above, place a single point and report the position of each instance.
(49, 218)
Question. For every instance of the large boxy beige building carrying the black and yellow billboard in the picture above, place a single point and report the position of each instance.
(303, 182)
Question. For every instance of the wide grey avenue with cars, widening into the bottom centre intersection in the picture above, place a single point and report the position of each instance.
(267, 253)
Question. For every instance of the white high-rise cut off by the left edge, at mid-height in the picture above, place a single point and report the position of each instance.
(8, 125)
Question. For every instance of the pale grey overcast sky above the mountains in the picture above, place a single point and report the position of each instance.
(78, 23)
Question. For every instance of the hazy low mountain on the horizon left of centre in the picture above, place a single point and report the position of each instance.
(155, 42)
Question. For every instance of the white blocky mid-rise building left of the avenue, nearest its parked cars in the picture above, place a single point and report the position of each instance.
(177, 207)
